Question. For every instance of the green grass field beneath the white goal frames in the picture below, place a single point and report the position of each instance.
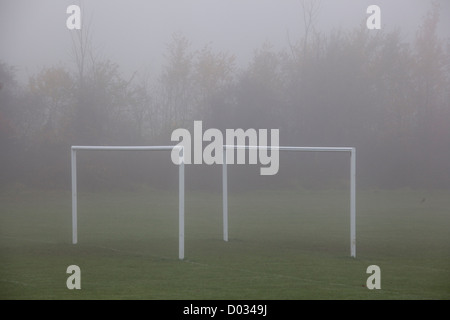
(283, 245)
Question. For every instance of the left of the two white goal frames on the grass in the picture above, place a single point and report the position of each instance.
(74, 150)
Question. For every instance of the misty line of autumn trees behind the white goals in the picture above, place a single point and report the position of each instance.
(373, 90)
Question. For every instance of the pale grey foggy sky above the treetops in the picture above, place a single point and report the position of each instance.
(134, 33)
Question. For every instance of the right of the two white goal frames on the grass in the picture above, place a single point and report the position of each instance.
(352, 152)
